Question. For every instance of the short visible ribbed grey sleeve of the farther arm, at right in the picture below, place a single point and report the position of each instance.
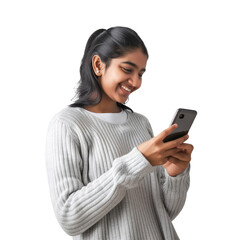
(174, 190)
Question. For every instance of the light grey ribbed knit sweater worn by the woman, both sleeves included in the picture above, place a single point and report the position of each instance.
(102, 187)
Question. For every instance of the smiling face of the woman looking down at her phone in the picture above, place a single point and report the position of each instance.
(123, 76)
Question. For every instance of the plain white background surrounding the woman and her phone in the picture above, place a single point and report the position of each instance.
(190, 44)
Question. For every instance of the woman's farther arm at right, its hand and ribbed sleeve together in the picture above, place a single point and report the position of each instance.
(174, 188)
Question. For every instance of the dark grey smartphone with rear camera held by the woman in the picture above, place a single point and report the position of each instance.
(184, 118)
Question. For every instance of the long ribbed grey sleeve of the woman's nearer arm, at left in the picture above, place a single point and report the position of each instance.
(78, 207)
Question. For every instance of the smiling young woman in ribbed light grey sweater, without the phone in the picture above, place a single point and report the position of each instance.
(109, 177)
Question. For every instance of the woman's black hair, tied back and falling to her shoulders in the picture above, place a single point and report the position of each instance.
(107, 44)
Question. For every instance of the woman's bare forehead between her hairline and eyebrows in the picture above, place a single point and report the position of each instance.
(137, 57)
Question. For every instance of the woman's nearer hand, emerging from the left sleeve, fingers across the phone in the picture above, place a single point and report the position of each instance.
(156, 151)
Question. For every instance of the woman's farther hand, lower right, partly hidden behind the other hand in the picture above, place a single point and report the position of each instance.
(178, 162)
